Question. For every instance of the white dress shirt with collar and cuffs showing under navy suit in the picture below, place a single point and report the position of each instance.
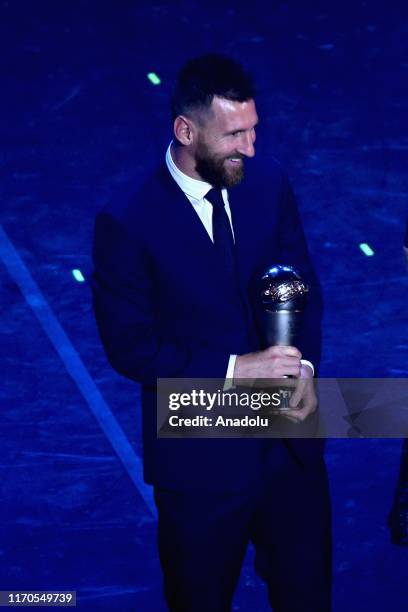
(195, 190)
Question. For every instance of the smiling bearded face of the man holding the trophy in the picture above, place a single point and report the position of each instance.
(226, 137)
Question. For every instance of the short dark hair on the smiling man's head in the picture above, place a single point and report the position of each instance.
(204, 77)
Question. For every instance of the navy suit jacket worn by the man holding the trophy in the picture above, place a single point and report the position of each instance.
(165, 308)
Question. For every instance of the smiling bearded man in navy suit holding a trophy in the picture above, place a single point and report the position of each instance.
(174, 296)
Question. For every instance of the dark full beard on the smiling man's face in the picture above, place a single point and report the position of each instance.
(213, 169)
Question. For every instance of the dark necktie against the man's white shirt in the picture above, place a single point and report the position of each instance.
(222, 232)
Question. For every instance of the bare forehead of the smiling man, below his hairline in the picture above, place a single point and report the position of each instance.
(230, 115)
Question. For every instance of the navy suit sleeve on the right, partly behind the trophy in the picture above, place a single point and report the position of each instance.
(293, 250)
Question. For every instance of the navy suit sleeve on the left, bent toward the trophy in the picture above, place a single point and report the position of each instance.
(123, 287)
